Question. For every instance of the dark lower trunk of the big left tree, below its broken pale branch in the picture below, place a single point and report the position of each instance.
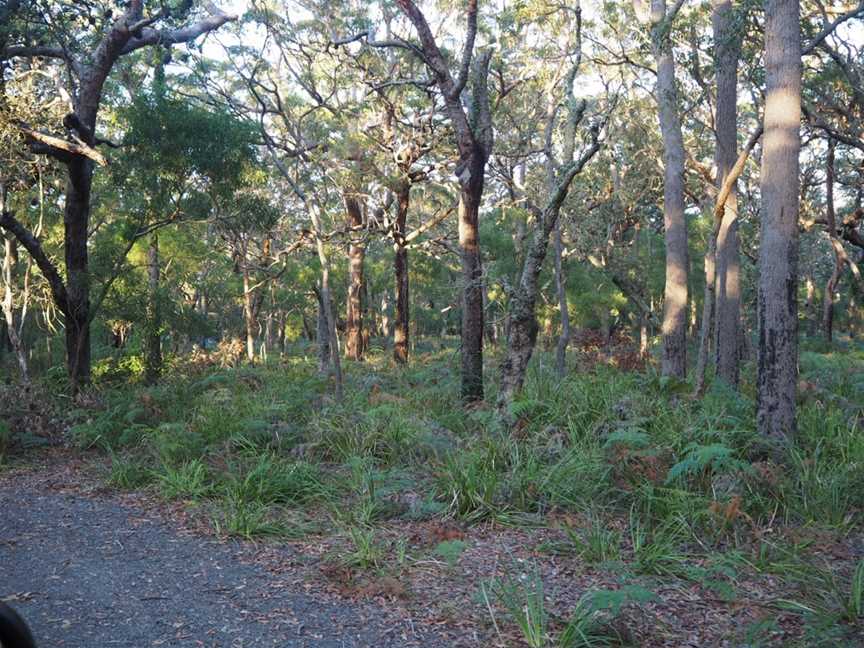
(76, 223)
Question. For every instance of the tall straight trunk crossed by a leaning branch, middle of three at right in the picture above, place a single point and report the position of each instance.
(727, 43)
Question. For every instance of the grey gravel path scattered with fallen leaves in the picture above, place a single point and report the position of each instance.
(89, 572)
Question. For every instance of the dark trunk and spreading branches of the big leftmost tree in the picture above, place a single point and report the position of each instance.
(89, 63)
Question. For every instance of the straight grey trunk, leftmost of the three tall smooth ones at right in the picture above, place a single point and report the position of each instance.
(675, 292)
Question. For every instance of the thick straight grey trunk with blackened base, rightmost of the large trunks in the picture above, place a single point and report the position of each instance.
(777, 363)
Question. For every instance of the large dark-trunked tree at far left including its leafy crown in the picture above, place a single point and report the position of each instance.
(87, 39)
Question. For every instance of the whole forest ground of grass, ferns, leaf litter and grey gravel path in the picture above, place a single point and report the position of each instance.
(619, 511)
